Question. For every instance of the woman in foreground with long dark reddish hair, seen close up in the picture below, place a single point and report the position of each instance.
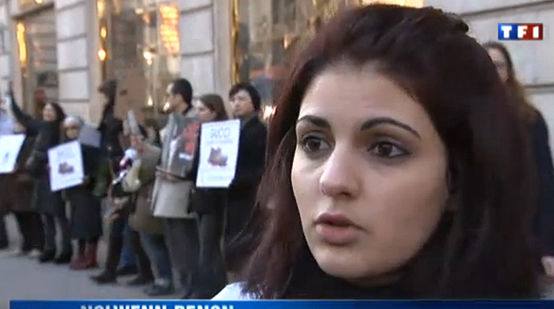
(397, 169)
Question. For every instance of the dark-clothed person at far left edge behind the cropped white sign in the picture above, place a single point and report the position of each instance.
(17, 189)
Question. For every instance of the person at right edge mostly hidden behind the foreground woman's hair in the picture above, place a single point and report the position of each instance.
(543, 227)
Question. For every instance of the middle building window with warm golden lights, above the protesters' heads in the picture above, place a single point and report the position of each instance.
(142, 38)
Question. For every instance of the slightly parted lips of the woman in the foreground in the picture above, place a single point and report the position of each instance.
(336, 229)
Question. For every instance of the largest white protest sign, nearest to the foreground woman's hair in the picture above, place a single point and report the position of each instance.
(219, 148)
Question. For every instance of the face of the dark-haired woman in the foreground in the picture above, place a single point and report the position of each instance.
(368, 174)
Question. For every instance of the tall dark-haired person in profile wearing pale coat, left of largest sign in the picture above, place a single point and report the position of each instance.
(171, 195)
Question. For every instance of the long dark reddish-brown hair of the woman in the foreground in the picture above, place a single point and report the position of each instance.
(481, 248)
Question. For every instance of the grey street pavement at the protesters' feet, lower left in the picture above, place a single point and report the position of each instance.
(25, 278)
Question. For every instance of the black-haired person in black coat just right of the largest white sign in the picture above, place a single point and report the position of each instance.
(245, 103)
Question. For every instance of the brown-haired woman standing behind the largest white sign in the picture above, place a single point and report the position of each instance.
(209, 205)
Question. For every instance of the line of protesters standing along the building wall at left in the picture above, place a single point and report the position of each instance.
(175, 235)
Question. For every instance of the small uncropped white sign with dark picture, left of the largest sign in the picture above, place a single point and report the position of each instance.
(66, 166)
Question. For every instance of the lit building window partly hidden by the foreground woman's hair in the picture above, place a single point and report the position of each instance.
(267, 33)
